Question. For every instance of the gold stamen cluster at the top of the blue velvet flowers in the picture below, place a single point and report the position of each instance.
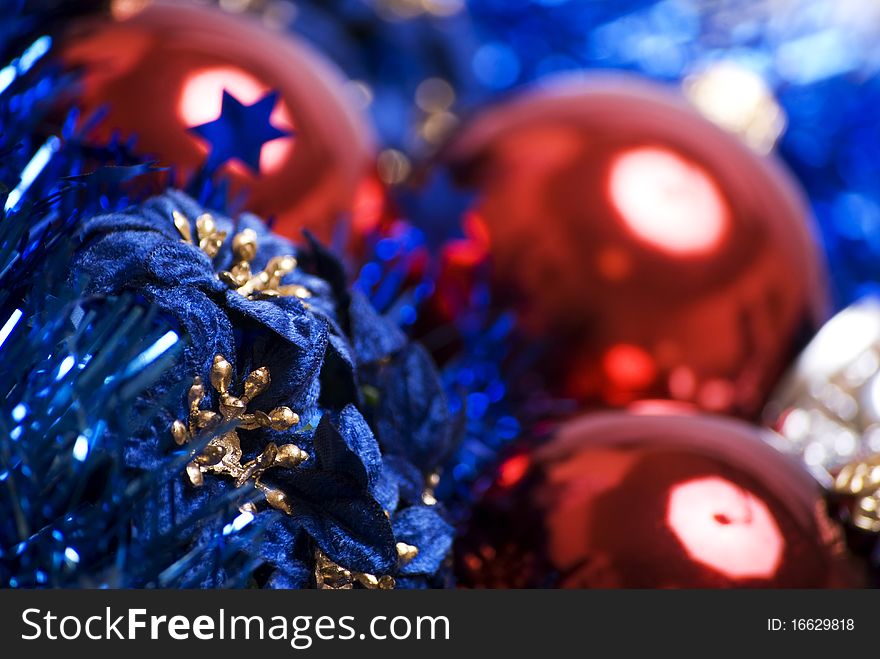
(240, 277)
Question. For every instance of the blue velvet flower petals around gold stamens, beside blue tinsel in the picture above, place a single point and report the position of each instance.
(374, 420)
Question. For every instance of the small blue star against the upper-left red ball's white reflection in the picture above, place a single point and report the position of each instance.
(240, 131)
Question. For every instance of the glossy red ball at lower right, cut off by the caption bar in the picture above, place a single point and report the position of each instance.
(618, 500)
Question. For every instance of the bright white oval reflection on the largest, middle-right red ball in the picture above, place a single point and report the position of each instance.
(668, 201)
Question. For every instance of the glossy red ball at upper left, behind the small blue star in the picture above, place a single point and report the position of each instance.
(163, 71)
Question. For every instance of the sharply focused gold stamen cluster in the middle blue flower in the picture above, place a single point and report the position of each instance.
(223, 453)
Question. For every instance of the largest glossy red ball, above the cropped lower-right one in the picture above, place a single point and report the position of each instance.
(656, 253)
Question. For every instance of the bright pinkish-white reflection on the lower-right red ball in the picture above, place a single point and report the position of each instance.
(725, 527)
